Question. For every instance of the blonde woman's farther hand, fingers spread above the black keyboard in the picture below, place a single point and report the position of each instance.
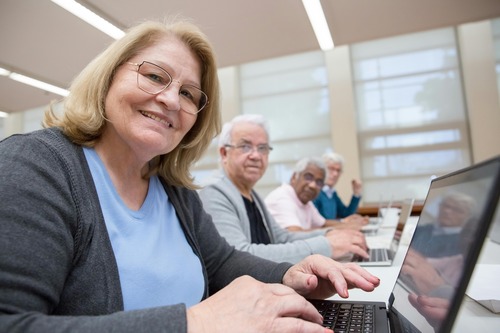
(320, 277)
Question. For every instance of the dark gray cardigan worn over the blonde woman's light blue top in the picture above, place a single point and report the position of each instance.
(57, 268)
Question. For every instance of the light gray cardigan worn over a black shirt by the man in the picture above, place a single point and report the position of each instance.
(224, 202)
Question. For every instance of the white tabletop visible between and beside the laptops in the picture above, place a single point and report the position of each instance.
(472, 316)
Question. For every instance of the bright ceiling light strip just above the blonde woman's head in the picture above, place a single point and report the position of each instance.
(90, 17)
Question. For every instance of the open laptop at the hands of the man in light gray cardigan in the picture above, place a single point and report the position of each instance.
(385, 256)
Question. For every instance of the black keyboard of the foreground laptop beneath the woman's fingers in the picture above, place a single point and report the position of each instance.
(346, 317)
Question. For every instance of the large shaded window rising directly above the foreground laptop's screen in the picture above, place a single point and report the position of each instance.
(412, 122)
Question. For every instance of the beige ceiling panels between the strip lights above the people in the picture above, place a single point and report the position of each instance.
(40, 39)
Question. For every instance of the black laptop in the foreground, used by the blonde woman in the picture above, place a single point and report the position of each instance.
(403, 311)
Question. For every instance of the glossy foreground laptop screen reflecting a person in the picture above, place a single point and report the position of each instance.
(435, 271)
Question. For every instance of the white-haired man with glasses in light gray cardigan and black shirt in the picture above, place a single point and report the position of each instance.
(239, 213)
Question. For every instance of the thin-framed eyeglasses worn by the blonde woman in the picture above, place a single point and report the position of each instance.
(153, 79)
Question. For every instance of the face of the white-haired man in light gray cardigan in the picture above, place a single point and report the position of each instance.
(245, 169)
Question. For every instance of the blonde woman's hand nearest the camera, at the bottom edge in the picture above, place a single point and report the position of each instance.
(247, 305)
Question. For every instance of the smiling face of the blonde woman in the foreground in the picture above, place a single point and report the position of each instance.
(151, 125)
